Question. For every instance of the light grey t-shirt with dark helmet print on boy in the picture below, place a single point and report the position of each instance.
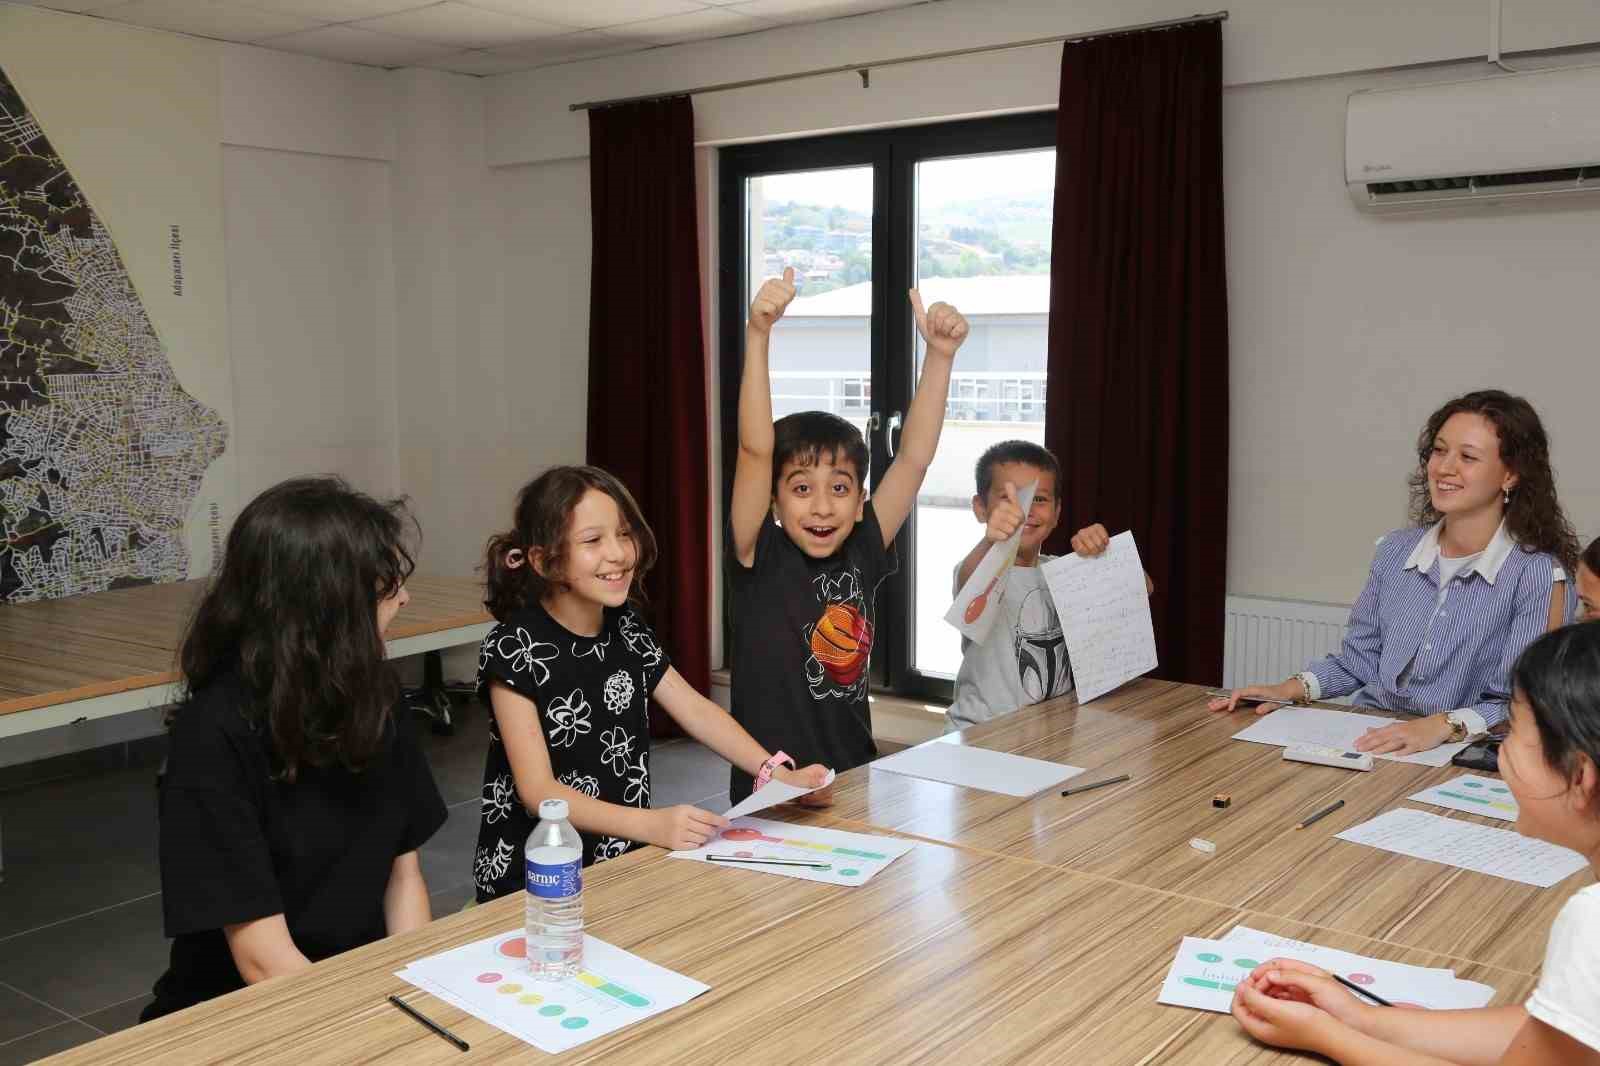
(1023, 662)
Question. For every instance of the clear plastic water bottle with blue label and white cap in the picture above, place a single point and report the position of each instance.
(556, 896)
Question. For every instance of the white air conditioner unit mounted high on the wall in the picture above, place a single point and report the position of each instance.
(1484, 142)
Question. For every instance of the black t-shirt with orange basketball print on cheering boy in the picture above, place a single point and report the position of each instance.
(802, 638)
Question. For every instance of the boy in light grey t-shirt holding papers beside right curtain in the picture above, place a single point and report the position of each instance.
(1025, 660)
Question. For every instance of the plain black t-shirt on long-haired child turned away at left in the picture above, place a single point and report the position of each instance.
(239, 844)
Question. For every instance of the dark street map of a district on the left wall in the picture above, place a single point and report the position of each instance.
(102, 451)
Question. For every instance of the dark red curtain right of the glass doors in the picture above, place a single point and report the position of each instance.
(1138, 321)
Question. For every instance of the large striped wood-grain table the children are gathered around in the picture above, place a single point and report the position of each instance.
(1020, 931)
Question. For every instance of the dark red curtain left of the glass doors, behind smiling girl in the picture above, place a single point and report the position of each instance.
(647, 356)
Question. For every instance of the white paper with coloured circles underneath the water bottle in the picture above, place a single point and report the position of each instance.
(490, 980)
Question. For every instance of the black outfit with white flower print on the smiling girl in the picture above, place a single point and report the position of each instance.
(594, 710)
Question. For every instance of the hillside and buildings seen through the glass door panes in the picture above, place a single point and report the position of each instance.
(983, 246)
